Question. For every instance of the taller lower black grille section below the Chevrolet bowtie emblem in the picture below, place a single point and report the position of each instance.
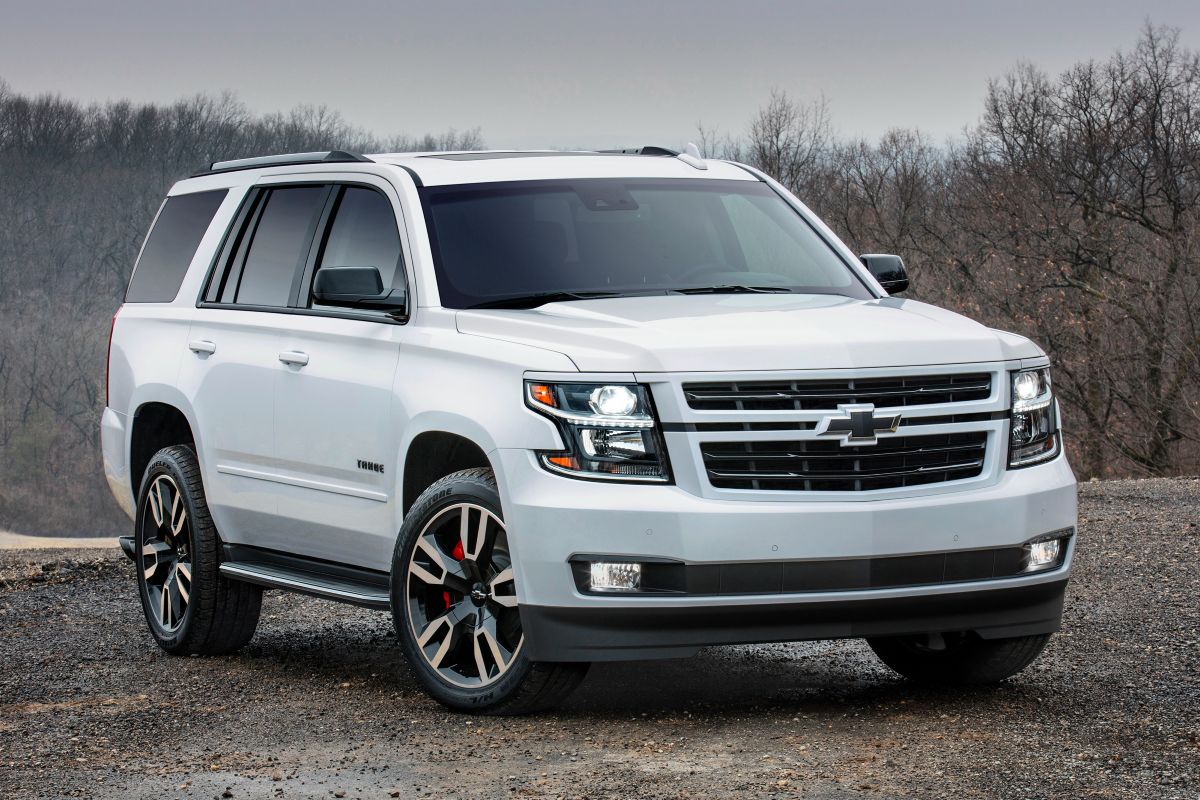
(819, 466)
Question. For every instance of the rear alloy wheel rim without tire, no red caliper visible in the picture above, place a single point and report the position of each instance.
(167, 552)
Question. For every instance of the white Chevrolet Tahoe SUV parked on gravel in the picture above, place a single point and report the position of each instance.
(551, 408)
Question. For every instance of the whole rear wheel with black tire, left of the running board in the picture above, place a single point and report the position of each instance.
(190, 607)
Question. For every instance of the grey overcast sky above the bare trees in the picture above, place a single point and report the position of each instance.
(563, 74)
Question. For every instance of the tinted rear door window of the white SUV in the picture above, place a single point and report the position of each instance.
(281, 243)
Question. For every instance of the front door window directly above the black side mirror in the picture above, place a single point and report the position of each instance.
(364, 234)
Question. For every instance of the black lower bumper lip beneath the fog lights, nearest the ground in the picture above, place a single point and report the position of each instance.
(604, 633)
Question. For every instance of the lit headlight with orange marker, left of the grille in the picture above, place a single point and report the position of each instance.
(609, 430)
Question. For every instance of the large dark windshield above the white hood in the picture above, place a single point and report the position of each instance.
(572, 239)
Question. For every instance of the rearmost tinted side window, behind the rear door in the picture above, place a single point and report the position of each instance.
(172, 245)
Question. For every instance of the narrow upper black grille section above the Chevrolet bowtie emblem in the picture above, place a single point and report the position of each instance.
(829, 395)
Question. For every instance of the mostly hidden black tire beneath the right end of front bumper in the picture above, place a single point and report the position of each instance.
(965, 660)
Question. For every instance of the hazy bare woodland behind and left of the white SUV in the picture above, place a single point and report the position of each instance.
(81, 185)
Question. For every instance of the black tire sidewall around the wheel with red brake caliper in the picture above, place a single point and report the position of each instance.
(447, 492)
